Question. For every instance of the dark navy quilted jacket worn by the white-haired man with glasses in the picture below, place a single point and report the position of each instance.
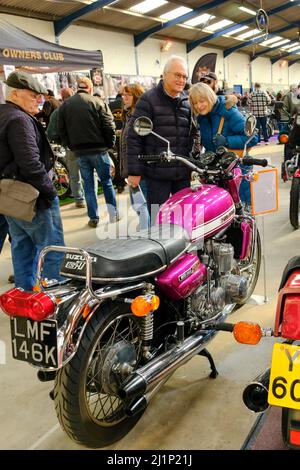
(172, 119)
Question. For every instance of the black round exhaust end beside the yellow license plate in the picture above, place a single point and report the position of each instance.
(255, 395)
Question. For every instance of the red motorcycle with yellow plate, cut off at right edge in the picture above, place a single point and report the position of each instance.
(279, 385)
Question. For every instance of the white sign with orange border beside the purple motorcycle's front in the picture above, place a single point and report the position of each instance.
(264, 192)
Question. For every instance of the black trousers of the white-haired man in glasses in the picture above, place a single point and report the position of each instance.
(159, 191)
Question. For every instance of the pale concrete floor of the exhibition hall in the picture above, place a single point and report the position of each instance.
(191, 411)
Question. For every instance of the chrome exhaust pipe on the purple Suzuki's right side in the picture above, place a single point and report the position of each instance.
(146, 378)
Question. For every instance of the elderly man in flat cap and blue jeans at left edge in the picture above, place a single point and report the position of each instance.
(25, 154)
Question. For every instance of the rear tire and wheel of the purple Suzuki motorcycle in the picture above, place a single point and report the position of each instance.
(85, 397)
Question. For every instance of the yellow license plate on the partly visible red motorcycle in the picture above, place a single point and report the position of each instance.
(284, 388)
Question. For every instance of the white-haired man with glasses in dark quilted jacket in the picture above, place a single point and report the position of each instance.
(168, 108)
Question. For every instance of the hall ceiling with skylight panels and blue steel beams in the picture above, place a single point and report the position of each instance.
(198, 22)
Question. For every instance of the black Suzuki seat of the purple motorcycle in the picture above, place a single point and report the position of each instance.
(125, 259)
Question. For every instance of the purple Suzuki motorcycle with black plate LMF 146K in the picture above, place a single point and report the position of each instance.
(134, 309)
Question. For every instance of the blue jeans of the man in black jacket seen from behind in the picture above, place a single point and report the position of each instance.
(101, 163)
